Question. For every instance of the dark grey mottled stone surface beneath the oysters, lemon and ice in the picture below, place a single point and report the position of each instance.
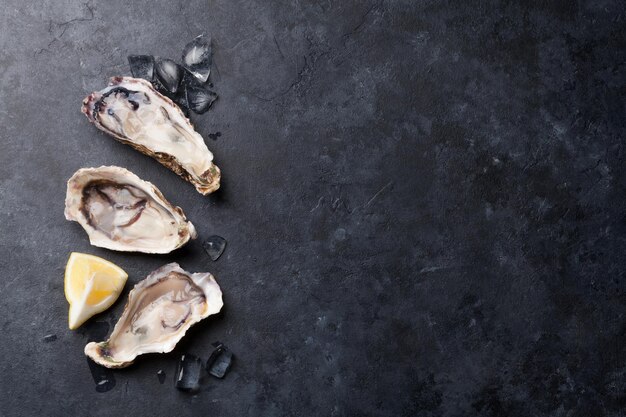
(423, 202)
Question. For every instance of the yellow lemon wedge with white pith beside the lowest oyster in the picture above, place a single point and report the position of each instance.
(92, 285)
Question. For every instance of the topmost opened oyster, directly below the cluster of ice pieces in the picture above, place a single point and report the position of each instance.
(134, 113)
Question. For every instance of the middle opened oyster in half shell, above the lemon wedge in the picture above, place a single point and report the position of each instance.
(120, 211)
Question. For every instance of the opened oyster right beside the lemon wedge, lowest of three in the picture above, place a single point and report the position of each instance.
(159, 311)
